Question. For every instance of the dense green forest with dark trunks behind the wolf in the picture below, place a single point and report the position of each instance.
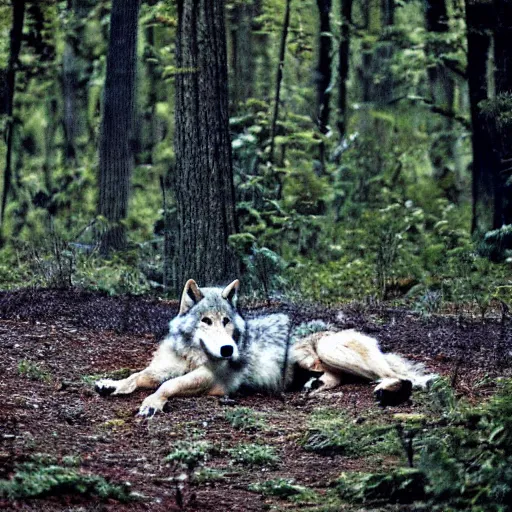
(322, 150)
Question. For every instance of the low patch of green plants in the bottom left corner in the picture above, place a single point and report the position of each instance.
(34, 480)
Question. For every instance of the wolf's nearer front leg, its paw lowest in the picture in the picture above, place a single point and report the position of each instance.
(198, 382)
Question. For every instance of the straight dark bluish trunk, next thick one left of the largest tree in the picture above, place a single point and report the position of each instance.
(116, 158)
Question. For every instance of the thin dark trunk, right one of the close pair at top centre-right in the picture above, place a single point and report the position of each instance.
(343, 65)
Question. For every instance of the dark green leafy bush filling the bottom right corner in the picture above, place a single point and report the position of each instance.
(467, 462)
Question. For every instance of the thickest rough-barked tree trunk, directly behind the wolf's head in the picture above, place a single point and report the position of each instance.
(205, 196)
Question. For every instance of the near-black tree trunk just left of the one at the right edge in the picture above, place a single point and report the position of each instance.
(479, 22)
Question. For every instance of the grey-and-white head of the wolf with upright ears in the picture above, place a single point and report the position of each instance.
(209, 319)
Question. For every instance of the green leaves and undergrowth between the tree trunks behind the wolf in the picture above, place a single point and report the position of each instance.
(380, 213)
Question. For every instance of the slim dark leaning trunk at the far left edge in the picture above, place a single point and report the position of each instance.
(18, 15)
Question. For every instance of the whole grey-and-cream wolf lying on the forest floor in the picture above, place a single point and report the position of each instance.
(211, 349)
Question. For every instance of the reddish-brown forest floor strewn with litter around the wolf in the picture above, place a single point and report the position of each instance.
(54, 344)
